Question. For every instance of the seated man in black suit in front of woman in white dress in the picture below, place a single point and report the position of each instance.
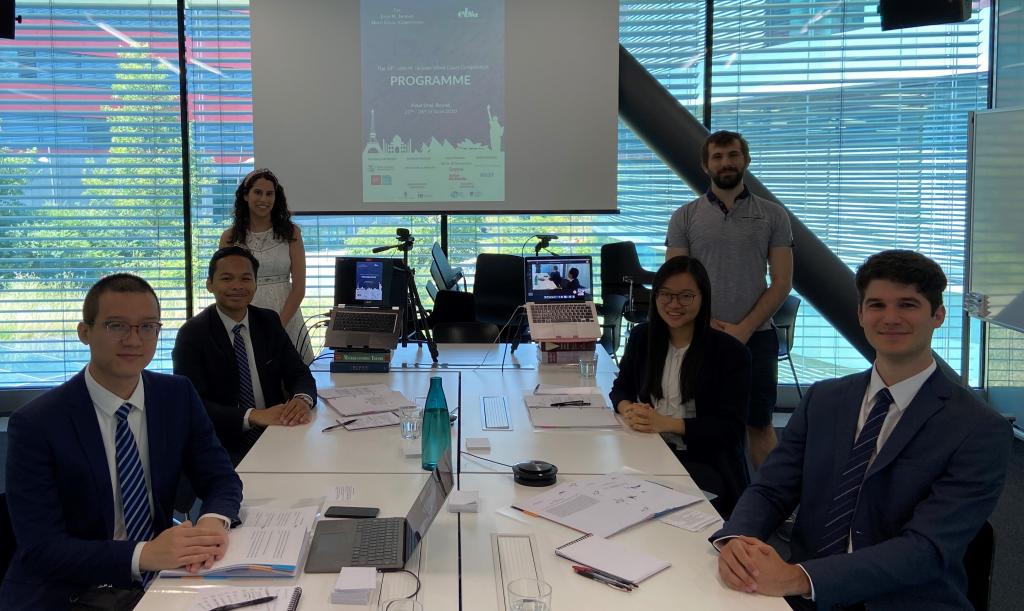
(241, 359)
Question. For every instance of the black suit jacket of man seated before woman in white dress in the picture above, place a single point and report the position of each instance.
(205, 355)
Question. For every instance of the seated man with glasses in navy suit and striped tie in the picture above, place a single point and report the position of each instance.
(94, 465)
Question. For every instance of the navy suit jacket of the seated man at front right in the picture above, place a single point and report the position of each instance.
(923, 500)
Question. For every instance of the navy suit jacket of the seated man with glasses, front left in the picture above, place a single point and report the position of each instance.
(61, 496)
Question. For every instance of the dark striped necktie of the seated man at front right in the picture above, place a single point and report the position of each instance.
(847, 490)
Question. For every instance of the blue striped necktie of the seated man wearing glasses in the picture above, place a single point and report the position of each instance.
(135, 497)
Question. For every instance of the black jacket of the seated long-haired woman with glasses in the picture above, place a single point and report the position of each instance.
(717, 437)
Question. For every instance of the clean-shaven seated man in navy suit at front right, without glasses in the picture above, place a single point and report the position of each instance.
(894, 470)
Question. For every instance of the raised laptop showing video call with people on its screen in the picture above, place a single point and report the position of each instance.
(561, 298)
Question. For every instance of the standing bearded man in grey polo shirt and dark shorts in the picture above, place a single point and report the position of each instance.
(740, 237)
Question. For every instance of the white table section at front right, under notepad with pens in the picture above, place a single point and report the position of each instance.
(692, 582)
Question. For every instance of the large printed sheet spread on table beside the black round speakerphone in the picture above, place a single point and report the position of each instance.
(607, 504)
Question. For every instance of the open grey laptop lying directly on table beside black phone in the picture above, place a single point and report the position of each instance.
(382, 543)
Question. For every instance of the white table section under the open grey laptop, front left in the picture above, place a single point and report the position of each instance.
(435, 560)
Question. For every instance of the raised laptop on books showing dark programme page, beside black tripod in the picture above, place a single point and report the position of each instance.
(363, 319)
